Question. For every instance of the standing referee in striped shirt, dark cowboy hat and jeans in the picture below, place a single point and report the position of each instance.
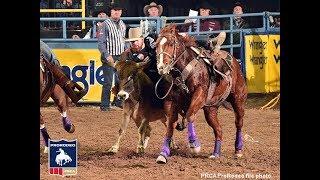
(111, 44)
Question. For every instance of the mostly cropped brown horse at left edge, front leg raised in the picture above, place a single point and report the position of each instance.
(48, 88)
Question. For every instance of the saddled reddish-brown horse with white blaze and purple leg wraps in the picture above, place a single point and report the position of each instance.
(197, 85)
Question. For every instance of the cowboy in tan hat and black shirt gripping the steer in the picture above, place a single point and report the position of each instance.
(140, 48)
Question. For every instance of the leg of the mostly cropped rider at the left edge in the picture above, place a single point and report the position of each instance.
(60, 78)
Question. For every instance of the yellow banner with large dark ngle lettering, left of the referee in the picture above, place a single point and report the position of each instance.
(84, 67)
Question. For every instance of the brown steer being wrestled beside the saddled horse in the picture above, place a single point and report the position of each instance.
(139, 104)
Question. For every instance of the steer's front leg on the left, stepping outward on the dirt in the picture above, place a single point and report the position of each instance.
(127, 111)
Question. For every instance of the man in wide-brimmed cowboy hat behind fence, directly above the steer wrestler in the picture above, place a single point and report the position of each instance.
(152, 10)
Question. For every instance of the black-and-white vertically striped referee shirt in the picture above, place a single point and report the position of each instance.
(111, 38)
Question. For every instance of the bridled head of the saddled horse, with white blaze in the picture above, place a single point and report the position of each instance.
(168, 47)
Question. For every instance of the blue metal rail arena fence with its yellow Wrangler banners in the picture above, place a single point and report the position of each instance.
(259, 48)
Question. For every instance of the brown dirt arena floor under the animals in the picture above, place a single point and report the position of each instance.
(96, 132)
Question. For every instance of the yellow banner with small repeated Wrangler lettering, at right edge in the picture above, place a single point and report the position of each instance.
(262, 59)
